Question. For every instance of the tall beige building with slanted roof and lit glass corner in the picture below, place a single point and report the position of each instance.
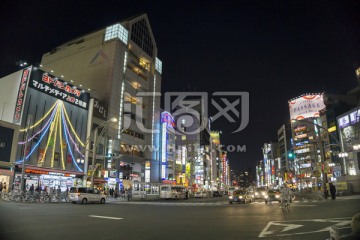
(119, 66)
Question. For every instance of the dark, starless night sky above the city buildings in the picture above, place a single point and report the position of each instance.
(275, 50)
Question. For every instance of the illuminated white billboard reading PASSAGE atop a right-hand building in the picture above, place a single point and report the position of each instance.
(306, 106)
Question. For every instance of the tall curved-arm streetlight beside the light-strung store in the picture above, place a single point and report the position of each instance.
(94, 133)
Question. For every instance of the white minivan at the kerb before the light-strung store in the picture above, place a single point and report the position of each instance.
(85, 195)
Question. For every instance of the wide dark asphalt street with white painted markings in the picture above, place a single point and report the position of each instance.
(209, 218)
